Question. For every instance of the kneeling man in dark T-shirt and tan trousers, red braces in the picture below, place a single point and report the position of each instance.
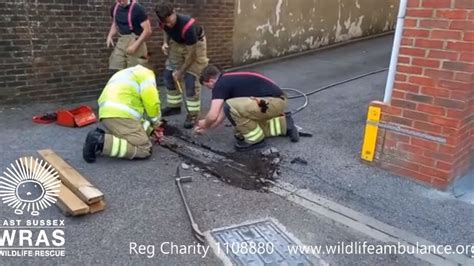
(252, 103)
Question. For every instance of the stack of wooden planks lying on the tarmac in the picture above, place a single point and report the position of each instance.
(77, 196)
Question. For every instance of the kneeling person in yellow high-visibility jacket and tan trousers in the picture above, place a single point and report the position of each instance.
(128, 95)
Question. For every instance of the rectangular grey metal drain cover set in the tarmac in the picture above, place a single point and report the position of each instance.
(258, 243)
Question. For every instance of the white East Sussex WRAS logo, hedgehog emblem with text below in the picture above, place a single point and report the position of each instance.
(30, 185)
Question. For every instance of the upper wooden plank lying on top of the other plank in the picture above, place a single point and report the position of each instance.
(72, 178)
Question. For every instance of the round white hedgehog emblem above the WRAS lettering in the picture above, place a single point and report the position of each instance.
(29, 185)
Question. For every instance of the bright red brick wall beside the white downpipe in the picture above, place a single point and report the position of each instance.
(433, 97)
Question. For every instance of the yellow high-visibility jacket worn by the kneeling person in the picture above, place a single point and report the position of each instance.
(131, 93)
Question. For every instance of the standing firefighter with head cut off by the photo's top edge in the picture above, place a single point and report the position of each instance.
(130, 21)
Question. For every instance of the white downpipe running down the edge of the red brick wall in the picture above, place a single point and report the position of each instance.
(395, 51)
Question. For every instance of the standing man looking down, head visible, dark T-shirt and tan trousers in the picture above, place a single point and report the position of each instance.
(185, 45)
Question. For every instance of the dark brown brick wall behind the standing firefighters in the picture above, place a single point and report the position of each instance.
(55, 49)
